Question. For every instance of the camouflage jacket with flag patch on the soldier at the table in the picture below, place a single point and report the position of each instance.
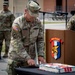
(23, 37)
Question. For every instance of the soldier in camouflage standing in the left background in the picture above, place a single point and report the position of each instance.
(6, 20)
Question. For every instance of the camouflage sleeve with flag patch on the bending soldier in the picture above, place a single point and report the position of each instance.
(17, 50)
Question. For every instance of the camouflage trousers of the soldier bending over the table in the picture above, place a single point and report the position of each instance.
(15, 64)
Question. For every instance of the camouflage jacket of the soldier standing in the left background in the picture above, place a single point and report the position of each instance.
(6, 20)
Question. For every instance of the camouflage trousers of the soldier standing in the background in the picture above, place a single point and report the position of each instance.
(5, 35)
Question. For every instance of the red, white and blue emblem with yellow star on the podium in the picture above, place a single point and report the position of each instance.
(56, 47)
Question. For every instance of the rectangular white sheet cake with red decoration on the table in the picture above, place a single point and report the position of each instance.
(57, 67)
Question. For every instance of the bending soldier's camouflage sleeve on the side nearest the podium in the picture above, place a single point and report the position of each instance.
(40, 40)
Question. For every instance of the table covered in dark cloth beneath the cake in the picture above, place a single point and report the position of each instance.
(37, 71)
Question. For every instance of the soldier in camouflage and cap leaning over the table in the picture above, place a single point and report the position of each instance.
(27, 36)
